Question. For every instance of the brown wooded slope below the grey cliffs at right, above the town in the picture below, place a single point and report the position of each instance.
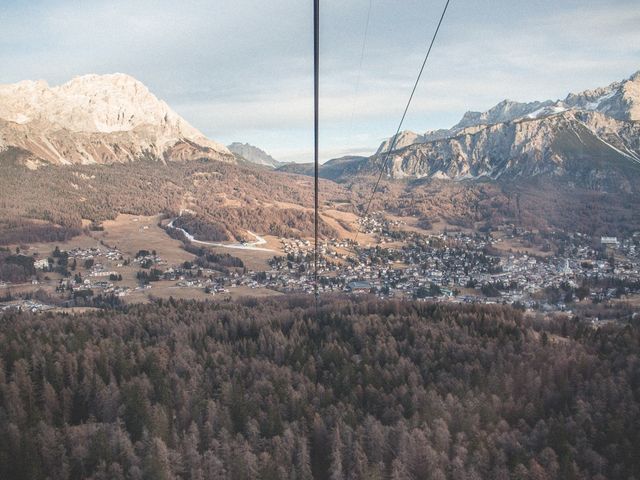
(534, 203)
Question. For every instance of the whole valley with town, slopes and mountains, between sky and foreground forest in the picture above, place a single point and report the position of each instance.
(530, 204)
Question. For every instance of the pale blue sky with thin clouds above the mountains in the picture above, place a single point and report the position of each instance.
(241, 70)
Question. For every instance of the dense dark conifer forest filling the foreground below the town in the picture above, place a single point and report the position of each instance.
(370, 390)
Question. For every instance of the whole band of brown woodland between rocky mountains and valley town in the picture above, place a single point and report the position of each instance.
(230, 199)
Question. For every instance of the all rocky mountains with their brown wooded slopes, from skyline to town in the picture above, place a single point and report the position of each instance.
(572, 164)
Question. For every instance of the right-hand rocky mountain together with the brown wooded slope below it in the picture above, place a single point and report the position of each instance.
(572, 165)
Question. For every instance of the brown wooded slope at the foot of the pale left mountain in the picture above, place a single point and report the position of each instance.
(228, 198)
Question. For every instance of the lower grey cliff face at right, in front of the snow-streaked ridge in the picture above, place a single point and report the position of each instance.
(581, 145)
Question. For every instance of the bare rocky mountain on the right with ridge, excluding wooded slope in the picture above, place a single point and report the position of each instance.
(591, 138)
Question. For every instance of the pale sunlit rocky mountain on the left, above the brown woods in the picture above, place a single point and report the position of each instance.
(96, 119)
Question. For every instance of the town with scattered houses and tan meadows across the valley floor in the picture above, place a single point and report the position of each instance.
(134, 259)
